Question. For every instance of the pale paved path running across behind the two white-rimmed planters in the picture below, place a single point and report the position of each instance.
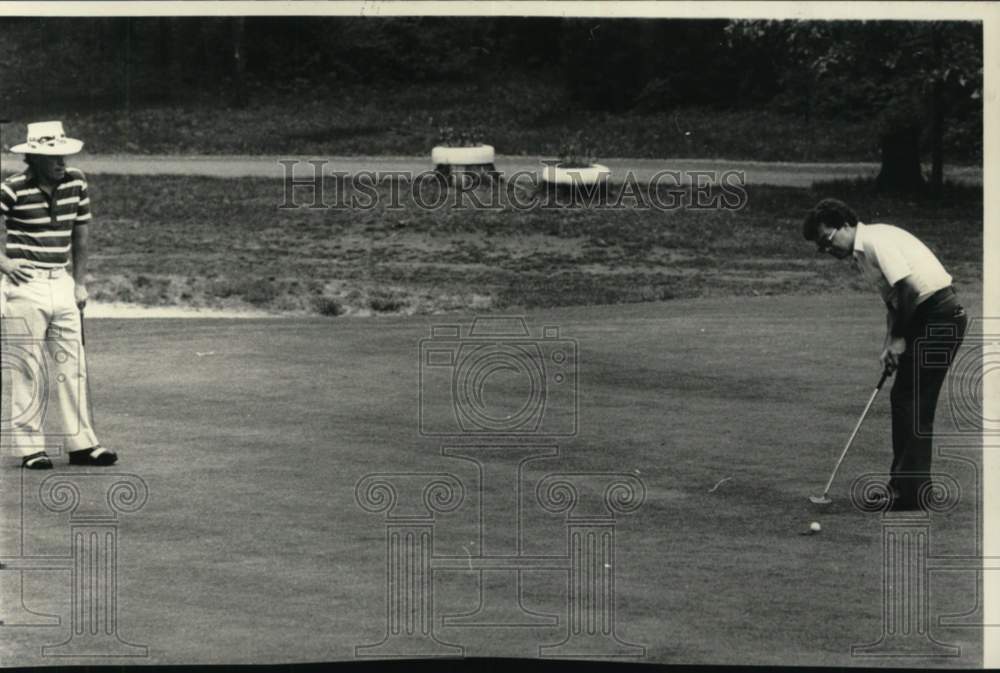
(756, 172)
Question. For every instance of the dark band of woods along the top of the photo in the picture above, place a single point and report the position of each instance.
(919, 84)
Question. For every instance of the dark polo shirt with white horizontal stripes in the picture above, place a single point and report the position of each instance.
(40, 229)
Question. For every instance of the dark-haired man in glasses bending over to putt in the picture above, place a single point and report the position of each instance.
(920, 304)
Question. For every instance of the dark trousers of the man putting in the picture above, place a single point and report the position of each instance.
(939, 323)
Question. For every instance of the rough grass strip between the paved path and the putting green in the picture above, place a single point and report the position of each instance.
(226, 243)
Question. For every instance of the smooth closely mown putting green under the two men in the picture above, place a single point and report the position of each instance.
(253, 434)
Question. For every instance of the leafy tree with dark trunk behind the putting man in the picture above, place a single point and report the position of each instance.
(908, 77)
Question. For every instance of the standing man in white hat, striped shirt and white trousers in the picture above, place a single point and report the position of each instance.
(47, 212)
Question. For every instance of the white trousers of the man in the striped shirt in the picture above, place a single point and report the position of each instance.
(43, 355)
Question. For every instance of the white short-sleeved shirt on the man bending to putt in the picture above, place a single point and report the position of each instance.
(886, 254)
